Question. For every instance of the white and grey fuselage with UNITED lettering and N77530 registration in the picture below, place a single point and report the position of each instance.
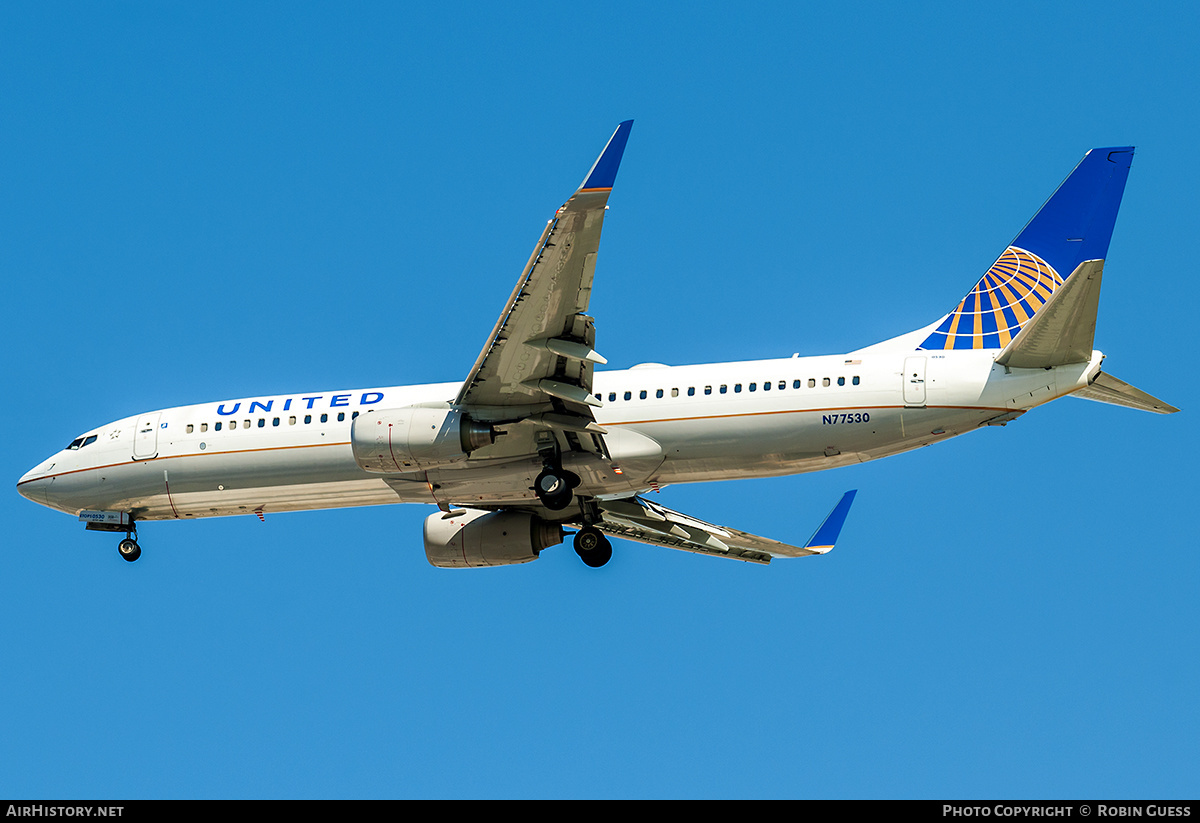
(665, 425)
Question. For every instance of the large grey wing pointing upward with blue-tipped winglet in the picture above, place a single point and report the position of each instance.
(537, 364)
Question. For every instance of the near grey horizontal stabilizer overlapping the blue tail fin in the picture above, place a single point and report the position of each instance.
(1065, 329)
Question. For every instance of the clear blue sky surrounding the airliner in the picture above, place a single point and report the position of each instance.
(230, 200)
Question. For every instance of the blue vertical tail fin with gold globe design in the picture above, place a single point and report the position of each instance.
(1076, 225)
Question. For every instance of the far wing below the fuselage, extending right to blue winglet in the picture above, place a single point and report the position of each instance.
(638, 519)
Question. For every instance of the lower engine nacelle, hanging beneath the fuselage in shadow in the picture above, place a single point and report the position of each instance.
(471, 538)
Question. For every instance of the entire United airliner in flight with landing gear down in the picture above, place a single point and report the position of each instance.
(537, 441)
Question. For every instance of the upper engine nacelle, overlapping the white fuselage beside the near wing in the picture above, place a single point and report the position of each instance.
(416, 438)
